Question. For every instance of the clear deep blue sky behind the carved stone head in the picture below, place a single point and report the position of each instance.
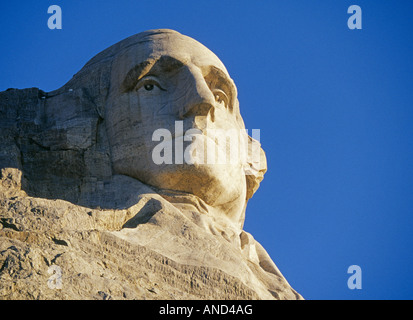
(334, 106)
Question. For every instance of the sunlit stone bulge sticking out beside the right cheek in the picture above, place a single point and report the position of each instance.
(255, 167)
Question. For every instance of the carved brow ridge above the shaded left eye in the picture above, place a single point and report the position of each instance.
(164, 64)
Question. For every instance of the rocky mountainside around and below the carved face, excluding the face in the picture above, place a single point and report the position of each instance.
(71, 227)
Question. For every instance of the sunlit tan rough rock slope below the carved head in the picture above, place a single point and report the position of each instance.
(148, 251)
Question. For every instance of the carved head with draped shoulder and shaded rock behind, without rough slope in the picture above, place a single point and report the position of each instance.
(101, 142)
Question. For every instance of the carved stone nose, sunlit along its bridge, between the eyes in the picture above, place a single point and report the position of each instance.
(199, 99)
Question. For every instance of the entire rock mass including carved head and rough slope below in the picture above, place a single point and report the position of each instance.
(87, 213)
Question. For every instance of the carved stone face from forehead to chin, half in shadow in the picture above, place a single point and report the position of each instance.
(164, 78)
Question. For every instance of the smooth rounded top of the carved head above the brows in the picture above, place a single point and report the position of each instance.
(109, 68)
